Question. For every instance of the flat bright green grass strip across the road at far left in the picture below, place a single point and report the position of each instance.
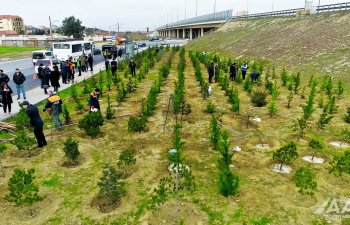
(14, 52)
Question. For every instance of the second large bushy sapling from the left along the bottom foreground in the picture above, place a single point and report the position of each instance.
(110, 184)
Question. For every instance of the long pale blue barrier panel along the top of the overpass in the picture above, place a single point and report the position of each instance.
(219, 16)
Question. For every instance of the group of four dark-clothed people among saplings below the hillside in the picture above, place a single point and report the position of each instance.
(214, 68)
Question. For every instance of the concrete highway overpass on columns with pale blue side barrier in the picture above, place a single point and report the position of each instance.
(195, 27)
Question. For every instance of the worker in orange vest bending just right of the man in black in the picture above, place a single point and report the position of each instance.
(54, 105)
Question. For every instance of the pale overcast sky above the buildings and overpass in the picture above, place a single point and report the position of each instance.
(134, 14)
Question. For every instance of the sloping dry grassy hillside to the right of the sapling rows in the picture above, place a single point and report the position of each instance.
(314, 44)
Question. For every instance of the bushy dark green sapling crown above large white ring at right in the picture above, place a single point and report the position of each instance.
(286, 154)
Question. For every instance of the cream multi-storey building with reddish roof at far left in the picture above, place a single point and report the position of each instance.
(11, 23)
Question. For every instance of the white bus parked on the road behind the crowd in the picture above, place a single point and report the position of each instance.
(73, 49)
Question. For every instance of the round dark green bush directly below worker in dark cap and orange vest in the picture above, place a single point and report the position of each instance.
(91, 123)
